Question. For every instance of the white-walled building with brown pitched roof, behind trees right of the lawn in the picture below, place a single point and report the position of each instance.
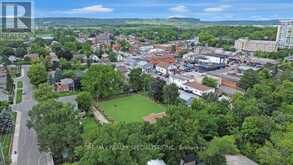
(197, 88)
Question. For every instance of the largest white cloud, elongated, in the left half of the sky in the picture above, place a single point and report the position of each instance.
(91, 10)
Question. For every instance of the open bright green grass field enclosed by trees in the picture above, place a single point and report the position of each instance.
(130, 109)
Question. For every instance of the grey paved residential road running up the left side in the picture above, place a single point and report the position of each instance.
(25, 140)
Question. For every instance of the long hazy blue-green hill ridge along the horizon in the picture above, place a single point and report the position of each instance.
(75, 21)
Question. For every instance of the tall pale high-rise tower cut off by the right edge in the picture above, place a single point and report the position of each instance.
(285, 34)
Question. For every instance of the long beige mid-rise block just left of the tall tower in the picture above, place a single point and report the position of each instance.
(244, 44)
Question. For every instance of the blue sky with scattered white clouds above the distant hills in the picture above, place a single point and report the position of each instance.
(211, 10)
